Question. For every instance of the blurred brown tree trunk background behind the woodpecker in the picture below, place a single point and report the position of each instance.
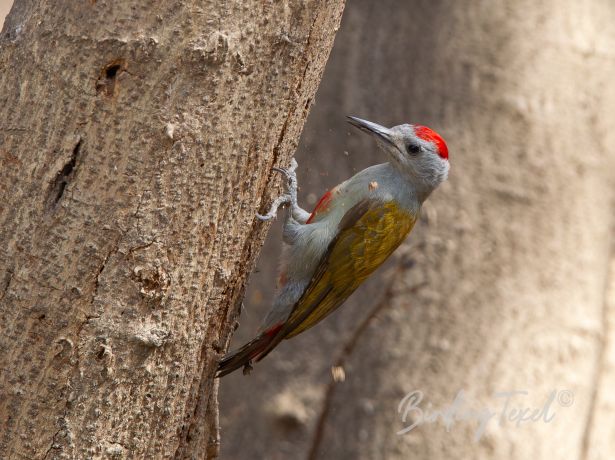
(514, 248)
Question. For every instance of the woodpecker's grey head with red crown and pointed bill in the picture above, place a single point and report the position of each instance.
(415, 150)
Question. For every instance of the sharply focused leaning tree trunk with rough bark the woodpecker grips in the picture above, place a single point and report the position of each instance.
(135, 144)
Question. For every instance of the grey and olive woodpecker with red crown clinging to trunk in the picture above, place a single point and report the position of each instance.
(352, 230)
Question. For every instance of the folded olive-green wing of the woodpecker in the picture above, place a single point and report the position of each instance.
(367, 236)
